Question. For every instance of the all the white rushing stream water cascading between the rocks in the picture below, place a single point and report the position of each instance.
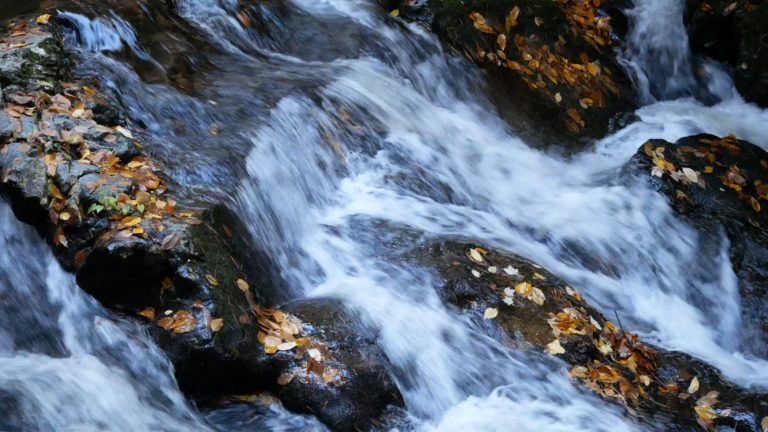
(345, 138)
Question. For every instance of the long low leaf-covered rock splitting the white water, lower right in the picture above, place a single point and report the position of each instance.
(526, 307)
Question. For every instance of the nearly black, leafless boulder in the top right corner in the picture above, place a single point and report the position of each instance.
(733, 32)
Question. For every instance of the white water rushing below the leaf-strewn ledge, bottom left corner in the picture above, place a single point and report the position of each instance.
(65, 363)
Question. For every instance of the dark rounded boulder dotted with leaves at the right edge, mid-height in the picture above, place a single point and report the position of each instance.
(720, 185)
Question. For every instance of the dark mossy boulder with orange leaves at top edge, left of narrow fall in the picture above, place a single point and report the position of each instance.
(550, 61)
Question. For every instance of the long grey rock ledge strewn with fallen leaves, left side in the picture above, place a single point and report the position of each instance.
(72, 166)
